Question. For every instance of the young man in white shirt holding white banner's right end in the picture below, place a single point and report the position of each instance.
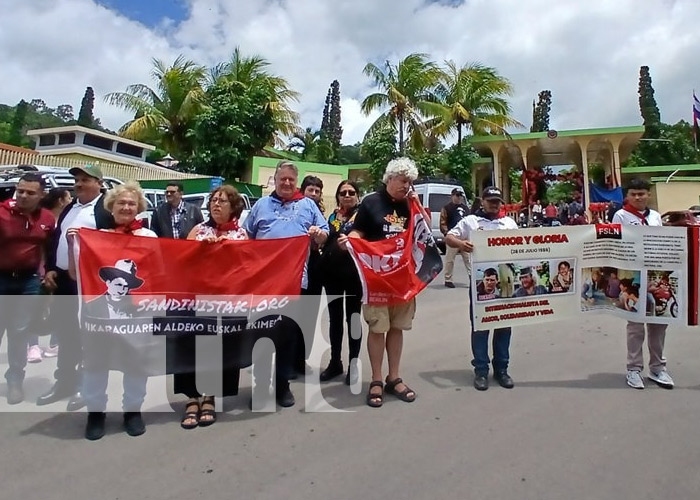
(635, 212)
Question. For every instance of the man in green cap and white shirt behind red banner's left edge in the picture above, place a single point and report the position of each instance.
(86, 210)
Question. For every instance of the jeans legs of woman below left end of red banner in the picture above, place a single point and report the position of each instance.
(95, 390)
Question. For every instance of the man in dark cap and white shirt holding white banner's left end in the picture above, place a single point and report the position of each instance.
(485, 219)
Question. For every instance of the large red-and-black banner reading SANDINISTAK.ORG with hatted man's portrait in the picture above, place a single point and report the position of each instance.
(137, 292)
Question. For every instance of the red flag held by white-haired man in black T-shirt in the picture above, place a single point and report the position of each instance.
(397, 269)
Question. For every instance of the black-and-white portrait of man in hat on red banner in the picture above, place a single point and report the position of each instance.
(116, 302)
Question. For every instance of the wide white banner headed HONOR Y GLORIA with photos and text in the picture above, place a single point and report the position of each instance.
(530, 276)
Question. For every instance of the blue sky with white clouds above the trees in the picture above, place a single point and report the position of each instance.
(587, 53)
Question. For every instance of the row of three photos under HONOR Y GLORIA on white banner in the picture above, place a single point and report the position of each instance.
(522, 279)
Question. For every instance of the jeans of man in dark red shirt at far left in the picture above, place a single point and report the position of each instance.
(16, 311)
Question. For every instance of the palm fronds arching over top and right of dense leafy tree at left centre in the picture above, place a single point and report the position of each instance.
(252, 72)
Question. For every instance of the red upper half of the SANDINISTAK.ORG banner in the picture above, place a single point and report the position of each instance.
(181, 267)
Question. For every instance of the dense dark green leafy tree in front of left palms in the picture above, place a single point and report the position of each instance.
(236, 123)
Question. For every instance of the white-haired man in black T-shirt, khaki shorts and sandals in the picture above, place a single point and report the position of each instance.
(386, 214)
